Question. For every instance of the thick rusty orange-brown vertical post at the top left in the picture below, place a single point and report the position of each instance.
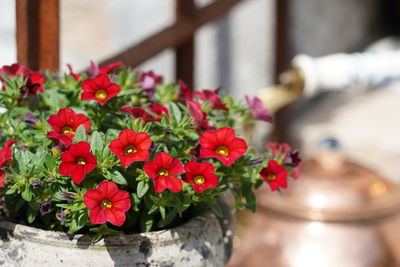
(38, 24)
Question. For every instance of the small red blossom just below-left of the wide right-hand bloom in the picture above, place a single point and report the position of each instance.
(201, 175)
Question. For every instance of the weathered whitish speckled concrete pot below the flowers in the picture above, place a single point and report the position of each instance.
(203, 241)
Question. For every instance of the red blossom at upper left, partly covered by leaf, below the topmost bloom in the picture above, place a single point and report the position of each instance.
(67, 121)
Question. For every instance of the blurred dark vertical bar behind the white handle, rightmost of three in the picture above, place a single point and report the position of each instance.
(282, 62)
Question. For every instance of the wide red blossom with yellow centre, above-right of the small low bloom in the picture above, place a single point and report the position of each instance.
(223, 145)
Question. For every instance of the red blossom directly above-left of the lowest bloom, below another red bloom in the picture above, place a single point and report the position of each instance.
(77, 161)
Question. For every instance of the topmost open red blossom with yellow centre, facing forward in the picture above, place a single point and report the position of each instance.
(100, 89)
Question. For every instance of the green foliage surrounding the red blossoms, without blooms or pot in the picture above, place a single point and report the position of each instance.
(33, 175)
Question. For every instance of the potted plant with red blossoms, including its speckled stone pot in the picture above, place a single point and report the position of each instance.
(115, 166)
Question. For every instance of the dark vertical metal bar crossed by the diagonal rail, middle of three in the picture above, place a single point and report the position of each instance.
(185, 10)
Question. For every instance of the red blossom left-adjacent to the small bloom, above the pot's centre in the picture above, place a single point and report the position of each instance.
(160, 170)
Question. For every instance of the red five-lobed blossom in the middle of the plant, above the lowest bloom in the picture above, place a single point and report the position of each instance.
(131, 146)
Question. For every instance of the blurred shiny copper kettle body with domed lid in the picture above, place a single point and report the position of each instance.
(338, 213)
